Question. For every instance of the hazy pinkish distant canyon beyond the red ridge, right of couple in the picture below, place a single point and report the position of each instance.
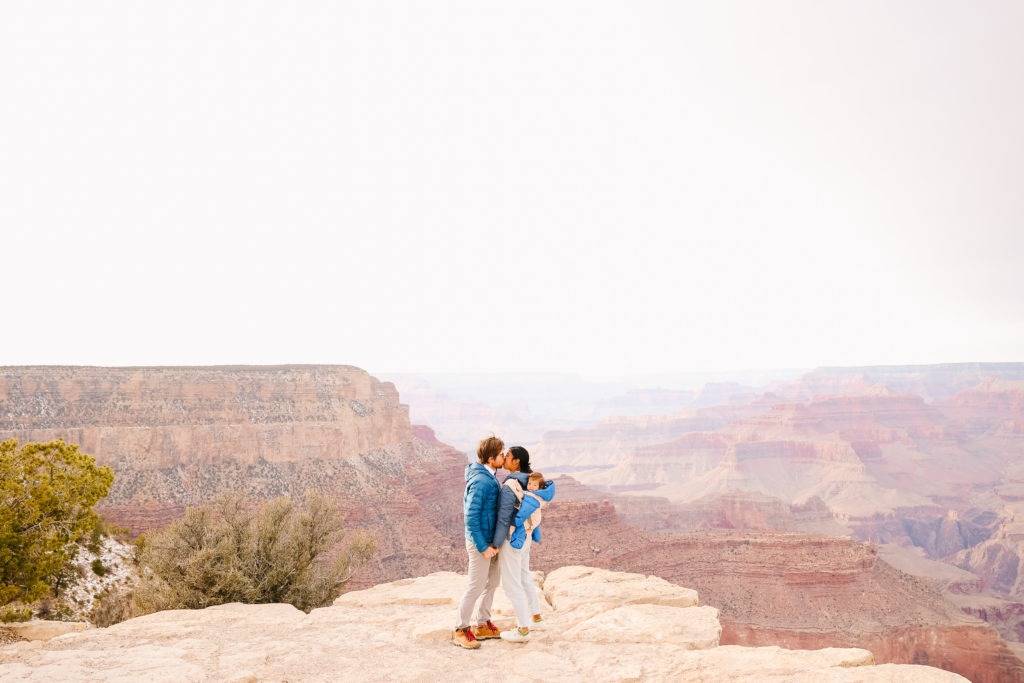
(924, 457)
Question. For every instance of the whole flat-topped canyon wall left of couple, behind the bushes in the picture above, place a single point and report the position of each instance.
(177, 437)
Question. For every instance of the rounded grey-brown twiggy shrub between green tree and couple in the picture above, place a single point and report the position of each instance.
(228, 552)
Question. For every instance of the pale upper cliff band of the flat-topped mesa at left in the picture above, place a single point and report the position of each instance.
(168, 417)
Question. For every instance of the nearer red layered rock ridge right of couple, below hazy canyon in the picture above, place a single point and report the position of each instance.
(789, 589)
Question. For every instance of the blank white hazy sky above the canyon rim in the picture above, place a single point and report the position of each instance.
(584, 187)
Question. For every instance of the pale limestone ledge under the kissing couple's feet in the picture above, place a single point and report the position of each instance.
(402, 632)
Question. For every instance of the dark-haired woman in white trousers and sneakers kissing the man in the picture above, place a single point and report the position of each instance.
(515, 563)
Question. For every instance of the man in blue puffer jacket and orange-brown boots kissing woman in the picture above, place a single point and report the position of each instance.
(480, 507)
